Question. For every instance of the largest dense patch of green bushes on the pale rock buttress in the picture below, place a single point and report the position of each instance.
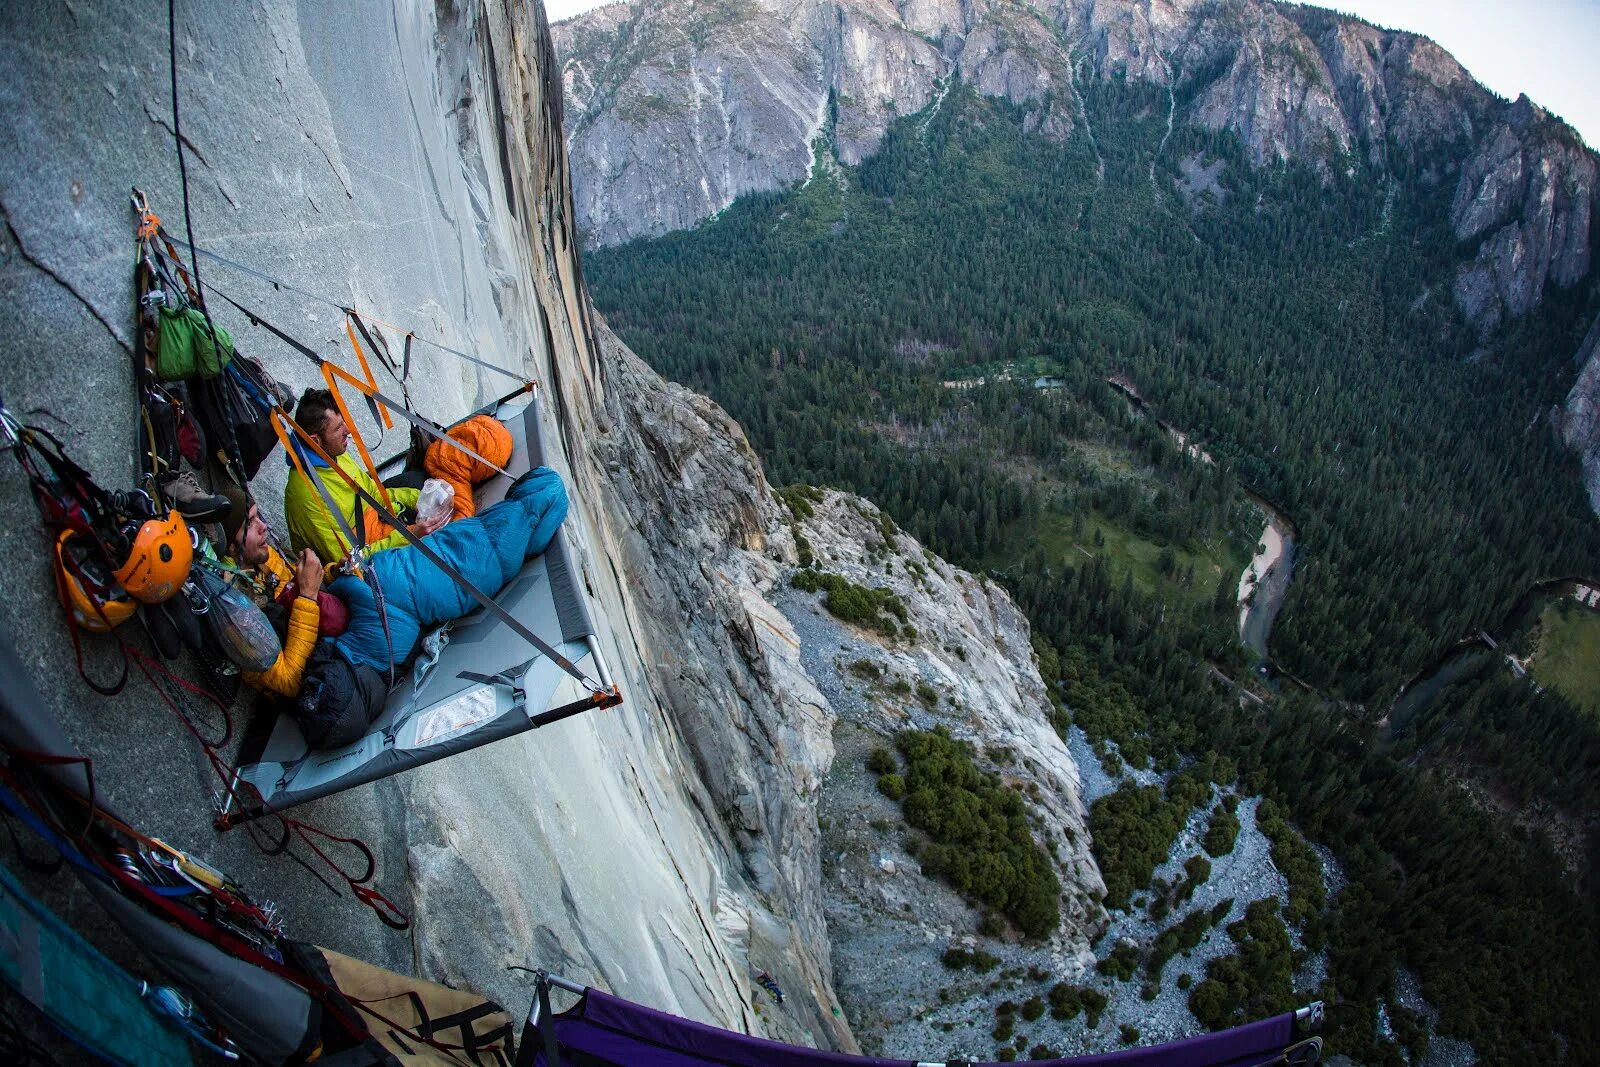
(978, 836)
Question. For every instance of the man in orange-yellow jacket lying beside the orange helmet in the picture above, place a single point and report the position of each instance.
(250, 551)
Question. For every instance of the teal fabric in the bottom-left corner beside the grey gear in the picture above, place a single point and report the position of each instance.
(86, 996)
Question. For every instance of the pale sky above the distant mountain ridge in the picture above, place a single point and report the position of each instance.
(1546, 49)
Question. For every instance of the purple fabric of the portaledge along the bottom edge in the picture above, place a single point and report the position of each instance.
(602, 1031)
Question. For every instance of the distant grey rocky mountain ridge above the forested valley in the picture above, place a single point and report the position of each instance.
(679, 108)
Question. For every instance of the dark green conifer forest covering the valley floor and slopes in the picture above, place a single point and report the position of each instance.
(1300, 324)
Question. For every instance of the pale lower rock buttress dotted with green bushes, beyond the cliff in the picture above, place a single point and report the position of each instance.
(970, 671)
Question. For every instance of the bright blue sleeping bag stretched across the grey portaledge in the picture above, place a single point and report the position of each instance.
(489, 549)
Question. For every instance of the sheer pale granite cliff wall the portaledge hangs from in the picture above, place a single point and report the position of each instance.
(409, 161)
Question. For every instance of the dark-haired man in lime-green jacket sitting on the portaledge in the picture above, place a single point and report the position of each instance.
(311, 526)
